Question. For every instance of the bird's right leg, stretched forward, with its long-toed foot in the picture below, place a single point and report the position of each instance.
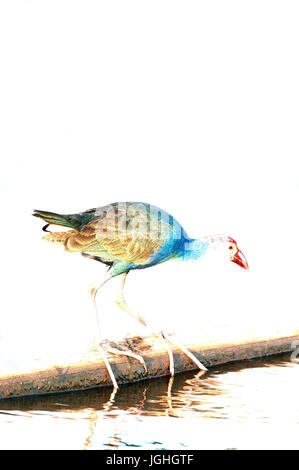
(162, 335)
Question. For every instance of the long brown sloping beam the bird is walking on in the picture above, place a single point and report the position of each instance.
(88, 371)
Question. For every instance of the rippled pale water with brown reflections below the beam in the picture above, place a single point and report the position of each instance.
(252, 404)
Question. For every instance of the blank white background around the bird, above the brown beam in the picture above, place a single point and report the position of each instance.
(191, 106)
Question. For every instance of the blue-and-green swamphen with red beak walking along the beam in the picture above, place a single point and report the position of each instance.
(129, 236)
